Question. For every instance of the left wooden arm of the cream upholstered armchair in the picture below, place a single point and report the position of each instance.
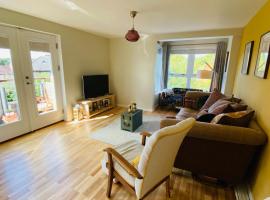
(123, 162)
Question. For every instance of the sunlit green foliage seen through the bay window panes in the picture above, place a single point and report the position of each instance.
(178, 65)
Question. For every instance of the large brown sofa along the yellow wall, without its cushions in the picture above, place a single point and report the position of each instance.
(219, 151)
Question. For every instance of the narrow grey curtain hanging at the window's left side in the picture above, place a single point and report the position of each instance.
(165, 63)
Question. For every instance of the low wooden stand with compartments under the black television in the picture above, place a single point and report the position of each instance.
(94, 106)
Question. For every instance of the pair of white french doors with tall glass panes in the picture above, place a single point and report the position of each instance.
(30, 86)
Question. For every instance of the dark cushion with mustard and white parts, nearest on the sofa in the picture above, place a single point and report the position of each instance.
(241, 118)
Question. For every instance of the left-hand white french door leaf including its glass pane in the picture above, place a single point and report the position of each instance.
(13, 109)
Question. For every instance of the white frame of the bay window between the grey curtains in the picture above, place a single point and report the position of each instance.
(191, 51)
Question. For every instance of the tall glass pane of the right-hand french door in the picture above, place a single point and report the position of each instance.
(43, 78)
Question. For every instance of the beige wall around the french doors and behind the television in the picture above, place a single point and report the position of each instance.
(83, 53)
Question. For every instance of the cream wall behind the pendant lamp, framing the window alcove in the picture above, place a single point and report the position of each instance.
(133, 64)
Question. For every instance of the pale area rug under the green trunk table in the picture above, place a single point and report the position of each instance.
(112, 134)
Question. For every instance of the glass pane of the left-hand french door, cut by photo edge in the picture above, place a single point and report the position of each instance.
(9, 107)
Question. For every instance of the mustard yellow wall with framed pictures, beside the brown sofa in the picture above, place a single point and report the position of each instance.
(256, 92)
